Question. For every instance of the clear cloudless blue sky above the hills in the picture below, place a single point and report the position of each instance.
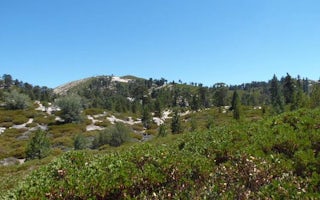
(51, 42)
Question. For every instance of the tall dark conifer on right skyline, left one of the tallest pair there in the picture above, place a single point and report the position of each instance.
(276, 96)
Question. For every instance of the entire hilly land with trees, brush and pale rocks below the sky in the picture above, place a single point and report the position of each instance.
(160, 139)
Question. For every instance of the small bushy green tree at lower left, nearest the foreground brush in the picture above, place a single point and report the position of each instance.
(39, 146)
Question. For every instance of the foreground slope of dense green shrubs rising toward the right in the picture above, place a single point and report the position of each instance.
(277, 158)
